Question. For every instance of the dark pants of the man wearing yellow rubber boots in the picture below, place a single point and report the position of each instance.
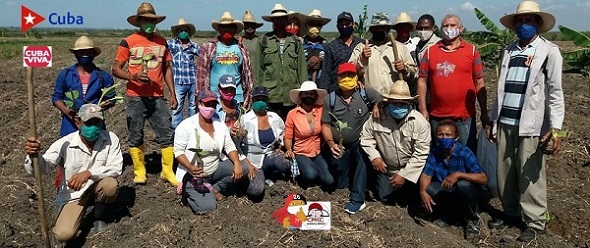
(158, 114)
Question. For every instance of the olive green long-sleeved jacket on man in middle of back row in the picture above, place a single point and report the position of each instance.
(279, 73)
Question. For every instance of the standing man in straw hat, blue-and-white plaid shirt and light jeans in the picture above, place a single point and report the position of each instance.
(183, 52)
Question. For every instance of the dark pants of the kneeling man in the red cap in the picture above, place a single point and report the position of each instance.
(352, 166)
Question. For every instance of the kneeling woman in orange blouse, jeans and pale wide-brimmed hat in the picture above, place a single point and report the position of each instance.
(304, 127)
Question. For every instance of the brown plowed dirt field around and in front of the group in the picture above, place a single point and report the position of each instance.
(151, 216)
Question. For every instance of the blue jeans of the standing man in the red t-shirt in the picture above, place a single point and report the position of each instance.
(467, 131)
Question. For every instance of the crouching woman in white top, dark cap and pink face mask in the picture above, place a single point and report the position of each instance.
(200, 142)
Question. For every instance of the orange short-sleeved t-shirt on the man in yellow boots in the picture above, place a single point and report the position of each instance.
(135, 50)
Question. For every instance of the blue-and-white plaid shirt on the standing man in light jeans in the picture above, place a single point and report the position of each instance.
(183, 59)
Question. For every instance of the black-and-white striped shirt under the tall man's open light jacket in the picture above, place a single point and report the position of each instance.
(517, 79)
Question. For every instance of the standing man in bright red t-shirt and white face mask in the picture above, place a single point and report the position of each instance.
(452, 71)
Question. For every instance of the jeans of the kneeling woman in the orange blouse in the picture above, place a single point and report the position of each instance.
(314, 169)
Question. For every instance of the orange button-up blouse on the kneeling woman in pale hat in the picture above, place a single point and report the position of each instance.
(307, 141)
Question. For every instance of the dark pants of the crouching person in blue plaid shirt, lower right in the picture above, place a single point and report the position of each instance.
(463, 192)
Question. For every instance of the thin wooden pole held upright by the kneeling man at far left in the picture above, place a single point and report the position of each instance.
(35, 159)
